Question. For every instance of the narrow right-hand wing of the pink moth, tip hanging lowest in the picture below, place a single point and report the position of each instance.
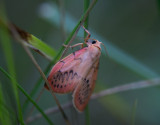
(83, 91)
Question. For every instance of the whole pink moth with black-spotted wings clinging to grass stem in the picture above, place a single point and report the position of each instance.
(77, 73)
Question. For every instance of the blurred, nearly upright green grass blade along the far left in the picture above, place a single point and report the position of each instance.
(7, 49)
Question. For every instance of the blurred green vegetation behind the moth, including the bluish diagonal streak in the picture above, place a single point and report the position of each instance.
(131, 32)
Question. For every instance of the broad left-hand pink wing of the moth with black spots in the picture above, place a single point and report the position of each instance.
(64, 75)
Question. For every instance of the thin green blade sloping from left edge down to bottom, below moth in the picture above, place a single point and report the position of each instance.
(28, 96)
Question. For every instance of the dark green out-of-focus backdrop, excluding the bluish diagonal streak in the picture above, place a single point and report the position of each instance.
(131, 25)
